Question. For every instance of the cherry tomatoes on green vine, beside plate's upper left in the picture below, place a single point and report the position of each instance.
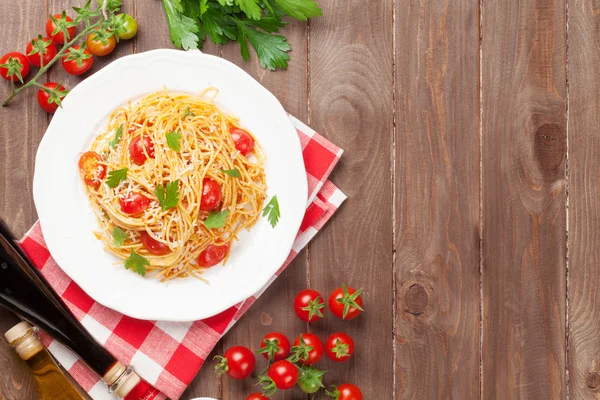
(101, 29)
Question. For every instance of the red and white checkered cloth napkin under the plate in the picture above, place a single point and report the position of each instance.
(169, 354)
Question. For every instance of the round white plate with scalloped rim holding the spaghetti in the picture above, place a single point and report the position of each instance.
(68, 221)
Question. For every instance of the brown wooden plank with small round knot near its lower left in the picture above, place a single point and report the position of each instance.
(437, 199)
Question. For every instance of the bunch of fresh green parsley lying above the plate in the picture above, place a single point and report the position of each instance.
(224, 21)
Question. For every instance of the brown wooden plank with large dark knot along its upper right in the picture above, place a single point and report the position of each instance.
(524, 217)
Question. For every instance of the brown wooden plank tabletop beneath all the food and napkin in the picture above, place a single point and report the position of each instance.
(471, 138)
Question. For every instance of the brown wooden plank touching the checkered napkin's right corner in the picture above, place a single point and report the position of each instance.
(351, 91)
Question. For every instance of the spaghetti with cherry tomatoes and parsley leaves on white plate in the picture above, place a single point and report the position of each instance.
(172, 182)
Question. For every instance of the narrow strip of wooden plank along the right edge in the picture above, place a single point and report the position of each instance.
(584, 215)
